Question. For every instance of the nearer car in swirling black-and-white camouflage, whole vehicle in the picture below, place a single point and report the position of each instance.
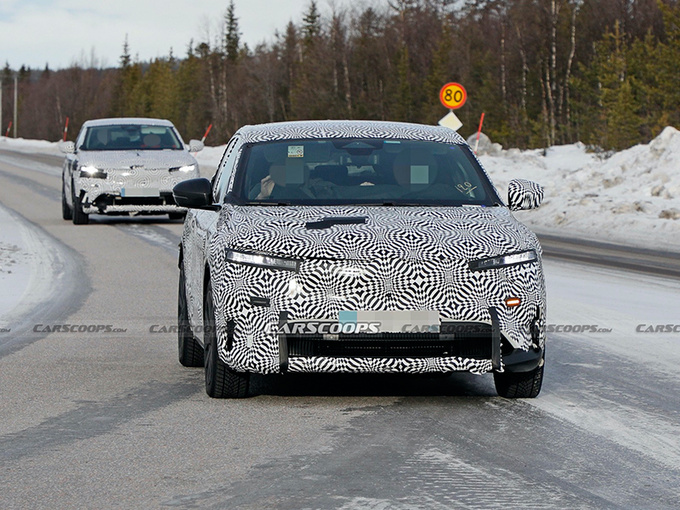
(356, 246)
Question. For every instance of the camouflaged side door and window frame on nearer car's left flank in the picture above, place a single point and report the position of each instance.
(199, 227)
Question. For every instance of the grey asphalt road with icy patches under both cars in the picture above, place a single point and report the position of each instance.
(110, 419)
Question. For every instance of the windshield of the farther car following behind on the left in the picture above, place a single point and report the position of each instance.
(130, 137)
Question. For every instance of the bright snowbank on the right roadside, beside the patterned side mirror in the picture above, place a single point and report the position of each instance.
(630, 198)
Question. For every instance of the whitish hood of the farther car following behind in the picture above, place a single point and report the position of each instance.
(151, 159)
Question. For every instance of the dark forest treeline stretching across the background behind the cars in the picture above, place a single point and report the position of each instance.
(605, 72)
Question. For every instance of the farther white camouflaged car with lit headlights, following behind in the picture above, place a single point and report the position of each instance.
(125, 166)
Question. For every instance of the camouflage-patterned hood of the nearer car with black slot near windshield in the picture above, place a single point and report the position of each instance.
(413, 232)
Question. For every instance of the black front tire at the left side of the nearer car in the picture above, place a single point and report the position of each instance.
(220, 380)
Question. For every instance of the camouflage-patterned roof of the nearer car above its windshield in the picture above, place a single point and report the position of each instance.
(347, 129)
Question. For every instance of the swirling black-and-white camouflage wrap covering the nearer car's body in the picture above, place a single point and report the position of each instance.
(401, 259)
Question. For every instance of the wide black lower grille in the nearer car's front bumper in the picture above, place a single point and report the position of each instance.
(473, 345)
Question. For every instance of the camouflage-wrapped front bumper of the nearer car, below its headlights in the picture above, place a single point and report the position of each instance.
(254, 303)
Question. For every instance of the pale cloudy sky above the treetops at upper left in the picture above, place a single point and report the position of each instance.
(64, 32)
